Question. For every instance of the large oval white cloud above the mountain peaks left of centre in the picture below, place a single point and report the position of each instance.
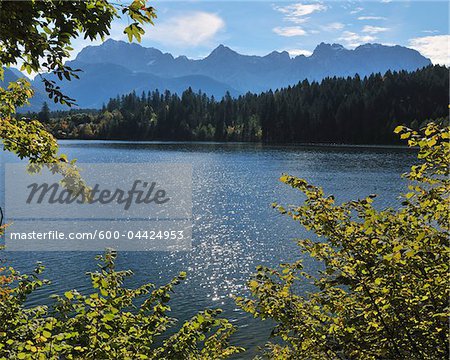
(191, 29)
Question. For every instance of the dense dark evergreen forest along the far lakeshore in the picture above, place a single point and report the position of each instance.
(336, 110)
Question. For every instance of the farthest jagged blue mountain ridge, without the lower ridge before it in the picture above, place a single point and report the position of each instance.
(259, 73)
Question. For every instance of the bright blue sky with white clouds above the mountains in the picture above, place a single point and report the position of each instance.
(194, 28)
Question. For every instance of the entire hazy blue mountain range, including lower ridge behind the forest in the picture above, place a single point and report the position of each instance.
(117, 67)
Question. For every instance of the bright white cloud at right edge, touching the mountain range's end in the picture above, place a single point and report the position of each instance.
(434, 47)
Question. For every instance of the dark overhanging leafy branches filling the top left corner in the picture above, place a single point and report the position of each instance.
(39, 33)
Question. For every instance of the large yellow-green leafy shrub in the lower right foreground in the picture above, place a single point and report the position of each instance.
(383, 292)
